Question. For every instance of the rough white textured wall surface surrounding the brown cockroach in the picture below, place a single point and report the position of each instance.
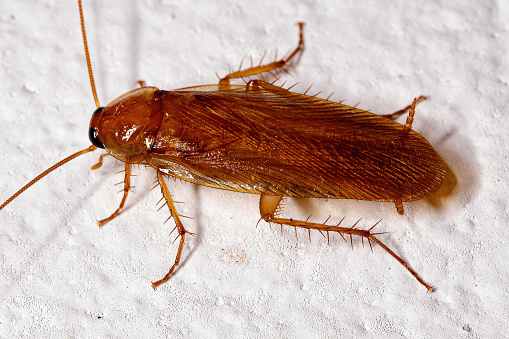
(62, 276)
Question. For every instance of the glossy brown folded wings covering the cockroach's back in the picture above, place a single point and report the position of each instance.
(277, 142)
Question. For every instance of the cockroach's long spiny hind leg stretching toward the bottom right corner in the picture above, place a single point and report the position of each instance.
(269, 204)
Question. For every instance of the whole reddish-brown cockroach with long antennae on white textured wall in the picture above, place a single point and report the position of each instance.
(263, 139)
